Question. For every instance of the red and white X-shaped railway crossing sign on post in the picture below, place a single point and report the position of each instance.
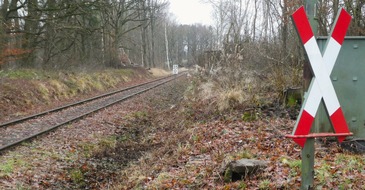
(321, 86)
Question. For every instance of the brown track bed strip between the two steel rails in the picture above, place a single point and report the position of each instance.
(23, 129)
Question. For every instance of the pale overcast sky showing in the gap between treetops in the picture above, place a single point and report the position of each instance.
(191, 11)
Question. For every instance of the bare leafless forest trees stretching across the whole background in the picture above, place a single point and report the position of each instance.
(100, 33)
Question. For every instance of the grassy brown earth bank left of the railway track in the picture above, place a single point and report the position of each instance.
(23, 92)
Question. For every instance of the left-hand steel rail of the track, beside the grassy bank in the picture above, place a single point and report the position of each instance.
(15, 121)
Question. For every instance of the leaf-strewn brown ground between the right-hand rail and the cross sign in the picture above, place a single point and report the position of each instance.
(155, 142)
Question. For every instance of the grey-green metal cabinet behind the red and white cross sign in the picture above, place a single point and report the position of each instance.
(348, 78)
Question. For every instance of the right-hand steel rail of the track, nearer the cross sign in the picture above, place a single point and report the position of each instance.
(7, 146)
